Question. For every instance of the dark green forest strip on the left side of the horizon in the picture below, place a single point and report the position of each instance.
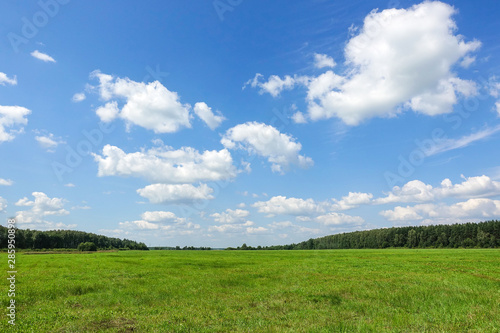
(65, 239)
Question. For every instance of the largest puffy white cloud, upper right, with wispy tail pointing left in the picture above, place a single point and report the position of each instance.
(400, 59)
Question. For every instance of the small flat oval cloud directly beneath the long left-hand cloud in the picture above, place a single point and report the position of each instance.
(179, 193)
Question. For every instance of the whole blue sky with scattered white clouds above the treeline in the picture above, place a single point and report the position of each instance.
(214, 123)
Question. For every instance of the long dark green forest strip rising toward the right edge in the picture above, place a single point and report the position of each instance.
(468, 235)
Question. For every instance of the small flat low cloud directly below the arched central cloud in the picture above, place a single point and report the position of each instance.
(280, 205)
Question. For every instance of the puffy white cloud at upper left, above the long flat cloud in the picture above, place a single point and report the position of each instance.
(149, 105)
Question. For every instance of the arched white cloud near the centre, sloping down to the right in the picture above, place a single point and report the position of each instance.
(280, 149)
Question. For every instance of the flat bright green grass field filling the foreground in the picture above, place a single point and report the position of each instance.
(449, 290)
